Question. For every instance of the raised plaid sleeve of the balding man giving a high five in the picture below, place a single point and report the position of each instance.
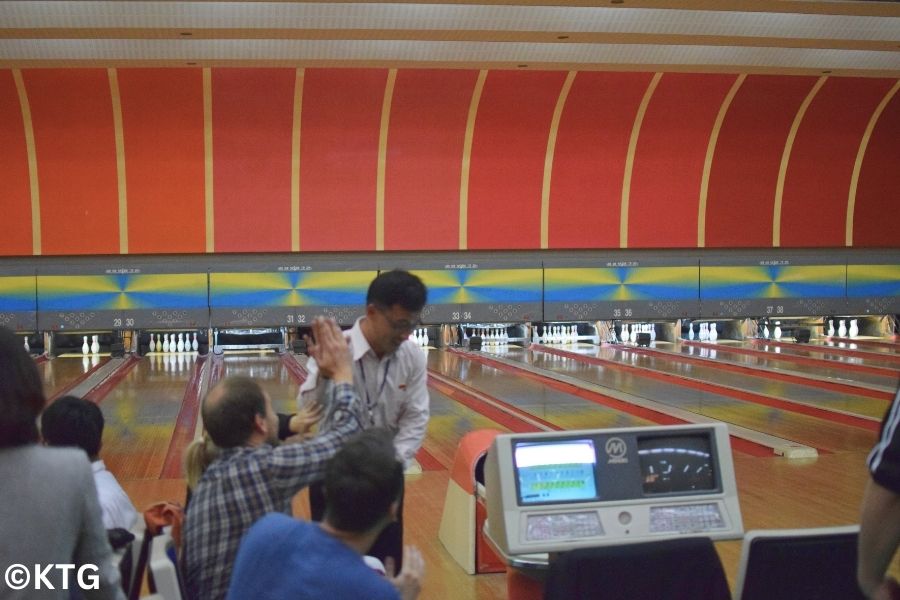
(294, 466)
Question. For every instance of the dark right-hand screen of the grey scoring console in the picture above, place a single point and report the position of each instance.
(676, 464)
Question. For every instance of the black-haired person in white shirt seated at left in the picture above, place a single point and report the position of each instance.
(71, 421)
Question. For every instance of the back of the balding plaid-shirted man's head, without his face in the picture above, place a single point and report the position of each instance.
(230, 410)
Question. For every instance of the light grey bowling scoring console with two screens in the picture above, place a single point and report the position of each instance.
(550, 492)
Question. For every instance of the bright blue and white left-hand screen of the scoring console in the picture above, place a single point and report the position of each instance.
(555, 471)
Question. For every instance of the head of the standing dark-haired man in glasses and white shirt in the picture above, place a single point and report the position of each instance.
(394, 304)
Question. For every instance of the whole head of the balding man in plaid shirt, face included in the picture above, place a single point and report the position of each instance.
(237, 412)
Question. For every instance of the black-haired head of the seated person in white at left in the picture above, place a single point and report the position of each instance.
(71, 421)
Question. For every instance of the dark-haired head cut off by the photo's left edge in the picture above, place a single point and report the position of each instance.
(21, 393)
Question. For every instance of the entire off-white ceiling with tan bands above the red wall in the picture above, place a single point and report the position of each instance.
(778, 36)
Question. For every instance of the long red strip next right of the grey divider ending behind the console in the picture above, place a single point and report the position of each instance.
(804, 408)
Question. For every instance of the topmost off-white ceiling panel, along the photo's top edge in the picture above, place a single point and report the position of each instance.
(323, 15)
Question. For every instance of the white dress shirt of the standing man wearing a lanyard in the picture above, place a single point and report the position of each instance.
(392, 389)
